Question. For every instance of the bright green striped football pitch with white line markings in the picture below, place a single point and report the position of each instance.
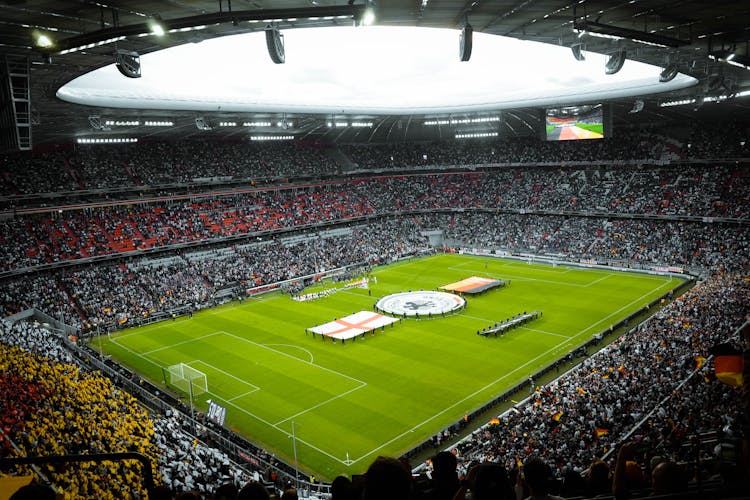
(349, 402)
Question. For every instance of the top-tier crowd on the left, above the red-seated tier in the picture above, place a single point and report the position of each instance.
(111, 166)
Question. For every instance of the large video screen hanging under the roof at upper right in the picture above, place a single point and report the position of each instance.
(575, 122)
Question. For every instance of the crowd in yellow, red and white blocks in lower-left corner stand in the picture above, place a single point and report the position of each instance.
(54, 405)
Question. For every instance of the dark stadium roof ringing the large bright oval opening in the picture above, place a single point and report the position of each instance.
(708, 41)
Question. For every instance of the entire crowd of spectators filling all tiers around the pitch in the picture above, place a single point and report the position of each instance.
(52, 404)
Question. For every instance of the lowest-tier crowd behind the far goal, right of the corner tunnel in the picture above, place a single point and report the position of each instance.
(630, 241)
